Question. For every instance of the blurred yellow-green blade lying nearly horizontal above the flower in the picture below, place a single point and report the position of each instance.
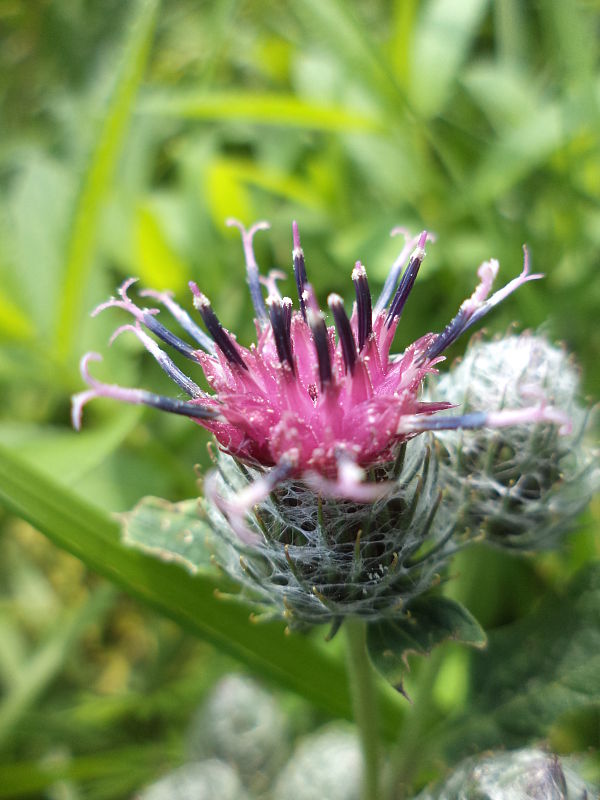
(263, 109)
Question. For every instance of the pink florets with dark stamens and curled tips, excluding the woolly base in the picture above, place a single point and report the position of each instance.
(302, 402)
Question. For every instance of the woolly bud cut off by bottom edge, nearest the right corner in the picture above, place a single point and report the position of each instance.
(518, 775)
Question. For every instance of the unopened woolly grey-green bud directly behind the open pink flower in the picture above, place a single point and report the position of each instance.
(522, 487)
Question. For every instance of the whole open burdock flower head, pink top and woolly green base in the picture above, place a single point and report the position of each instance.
(311, 432)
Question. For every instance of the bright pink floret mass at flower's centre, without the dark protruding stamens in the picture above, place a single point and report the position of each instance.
(268, 411)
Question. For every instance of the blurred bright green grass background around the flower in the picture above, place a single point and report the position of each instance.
(130, 131)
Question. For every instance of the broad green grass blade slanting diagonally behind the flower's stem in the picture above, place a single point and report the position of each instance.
(94, 537)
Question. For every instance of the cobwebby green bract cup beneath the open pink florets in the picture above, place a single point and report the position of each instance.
(315, 560)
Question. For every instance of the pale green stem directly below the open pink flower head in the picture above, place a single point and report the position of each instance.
(362, 689)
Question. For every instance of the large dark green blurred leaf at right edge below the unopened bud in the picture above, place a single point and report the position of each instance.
(534, 670)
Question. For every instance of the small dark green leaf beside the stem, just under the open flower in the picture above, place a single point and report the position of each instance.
(429, 621)
